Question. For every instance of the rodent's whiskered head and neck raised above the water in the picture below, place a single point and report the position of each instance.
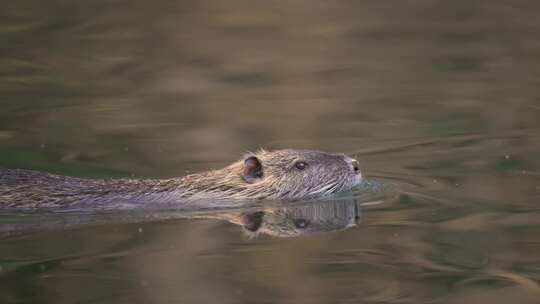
(281, 174)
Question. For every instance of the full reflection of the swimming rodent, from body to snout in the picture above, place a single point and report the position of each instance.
(294, 219)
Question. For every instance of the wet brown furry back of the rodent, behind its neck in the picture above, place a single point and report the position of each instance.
(28, 189)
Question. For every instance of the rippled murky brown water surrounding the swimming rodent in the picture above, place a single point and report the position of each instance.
(438, 100)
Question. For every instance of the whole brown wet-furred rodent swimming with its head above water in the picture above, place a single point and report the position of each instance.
(281, 174)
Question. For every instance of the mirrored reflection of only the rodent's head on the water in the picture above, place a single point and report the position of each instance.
(295, 220)
